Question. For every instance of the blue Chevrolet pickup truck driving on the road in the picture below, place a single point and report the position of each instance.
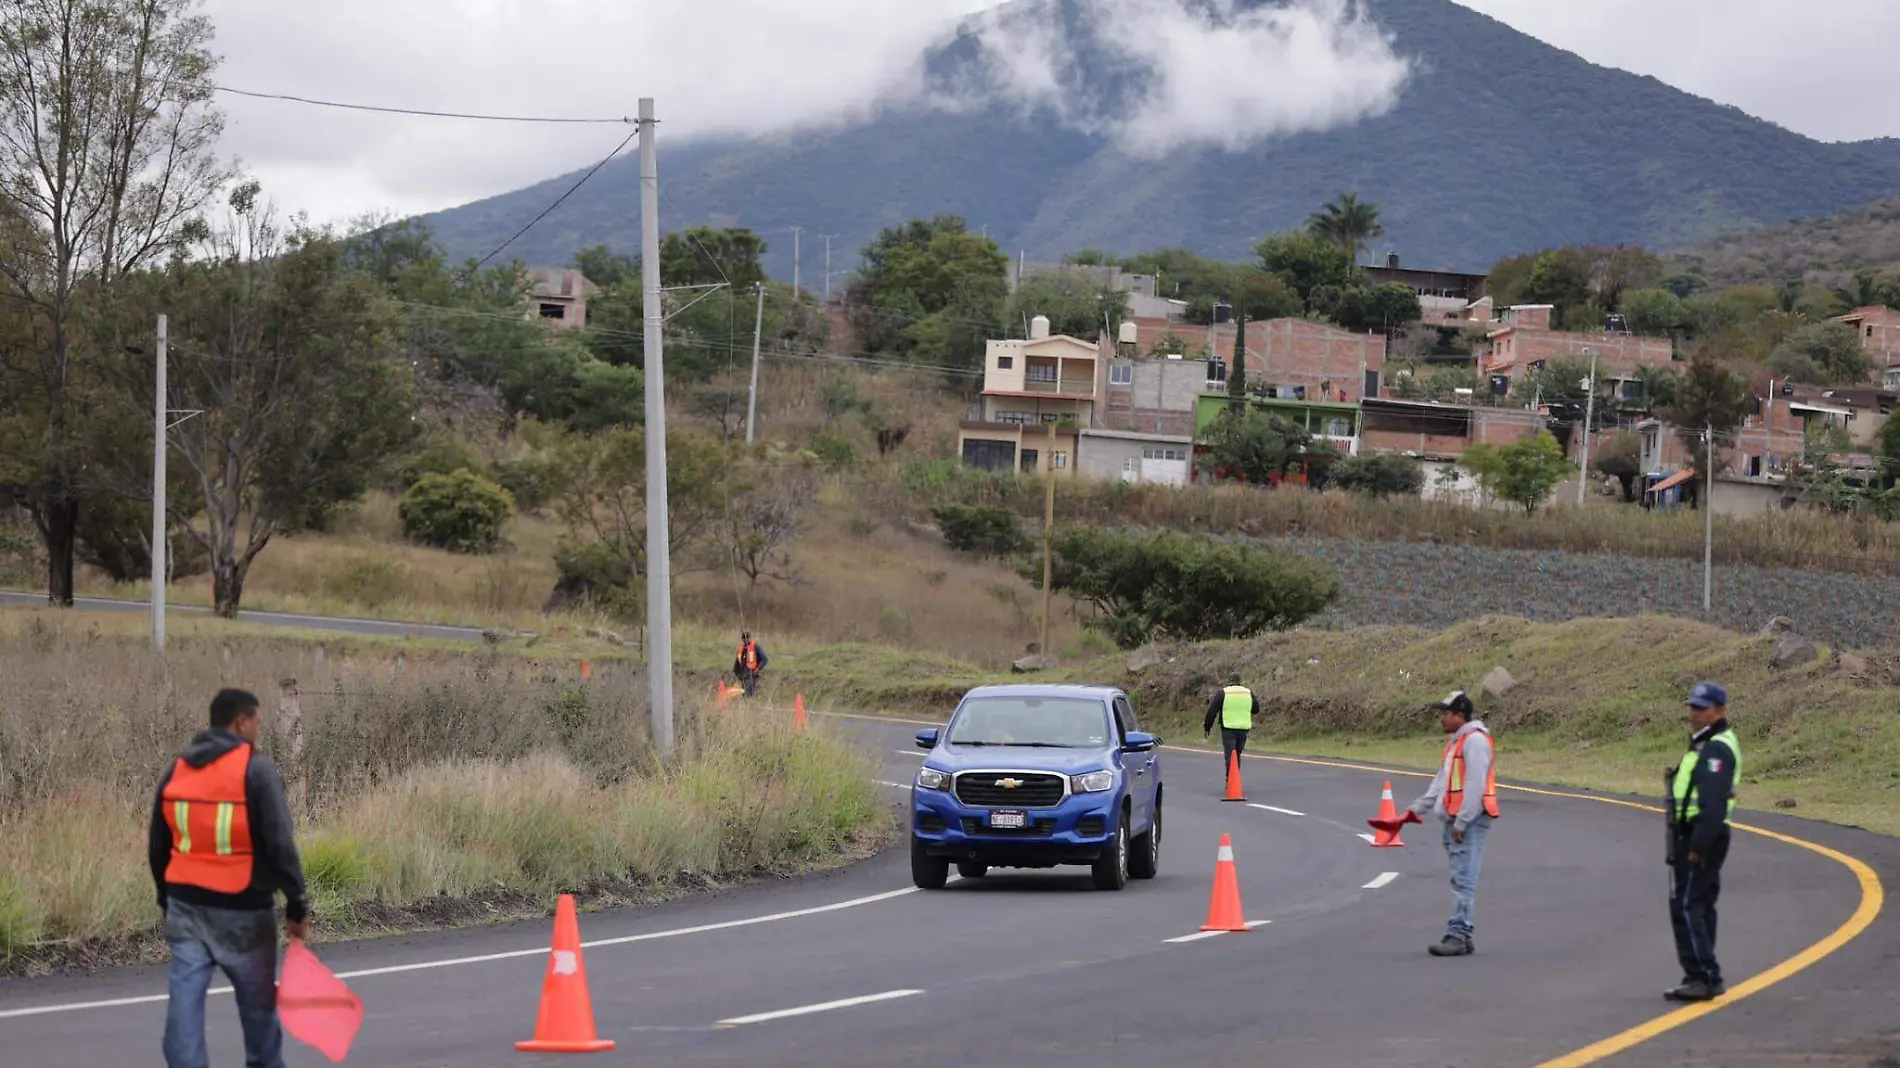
(1035, 778)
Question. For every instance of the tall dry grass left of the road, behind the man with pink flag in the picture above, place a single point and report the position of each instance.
(446, 788)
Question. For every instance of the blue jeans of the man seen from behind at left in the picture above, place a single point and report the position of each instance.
(244, 945)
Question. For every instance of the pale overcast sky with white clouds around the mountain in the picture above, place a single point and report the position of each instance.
(1821, 67)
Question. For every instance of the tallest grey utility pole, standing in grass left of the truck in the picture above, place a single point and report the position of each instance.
(658, 558)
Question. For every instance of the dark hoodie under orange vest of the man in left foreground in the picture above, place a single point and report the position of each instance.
(275, 864)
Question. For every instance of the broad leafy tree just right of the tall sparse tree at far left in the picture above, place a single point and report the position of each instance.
(294, 370)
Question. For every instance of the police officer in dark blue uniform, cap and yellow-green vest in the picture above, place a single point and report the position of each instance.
(1701, 799)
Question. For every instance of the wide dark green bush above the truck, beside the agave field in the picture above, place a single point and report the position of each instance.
(1183, 586)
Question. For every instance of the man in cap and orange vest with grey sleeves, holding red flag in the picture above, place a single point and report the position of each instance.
(1464, 797)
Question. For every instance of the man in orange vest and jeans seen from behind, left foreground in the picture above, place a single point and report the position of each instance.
(221, 849)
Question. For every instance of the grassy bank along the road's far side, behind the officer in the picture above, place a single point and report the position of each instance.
(1597, 702)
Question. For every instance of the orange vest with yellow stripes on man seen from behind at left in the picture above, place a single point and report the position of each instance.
(210, 824)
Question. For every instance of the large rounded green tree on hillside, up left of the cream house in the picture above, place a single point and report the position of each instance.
(930, 290)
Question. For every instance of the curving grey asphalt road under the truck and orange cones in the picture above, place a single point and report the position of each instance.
(1040, 970)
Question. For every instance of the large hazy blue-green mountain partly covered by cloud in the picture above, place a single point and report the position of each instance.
(1498, 145)
